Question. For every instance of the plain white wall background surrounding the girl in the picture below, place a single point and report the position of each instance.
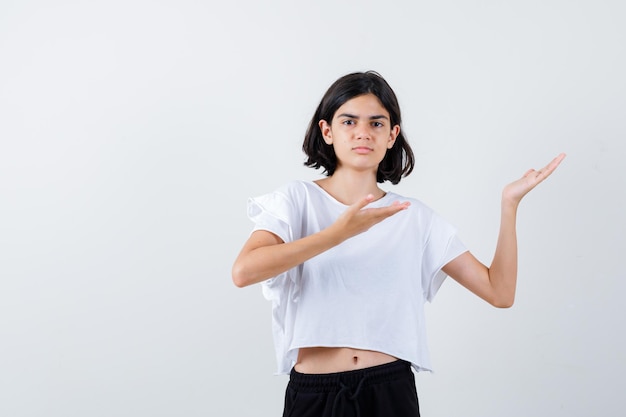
(132, 133)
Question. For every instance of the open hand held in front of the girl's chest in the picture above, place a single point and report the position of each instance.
(357, 219)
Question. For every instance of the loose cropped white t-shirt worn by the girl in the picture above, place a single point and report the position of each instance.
(367, 292)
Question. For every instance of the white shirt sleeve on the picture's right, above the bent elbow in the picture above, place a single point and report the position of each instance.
(442, 246)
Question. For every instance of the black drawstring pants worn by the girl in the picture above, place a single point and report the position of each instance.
(380, 391)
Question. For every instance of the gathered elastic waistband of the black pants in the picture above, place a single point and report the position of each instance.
(334, 381)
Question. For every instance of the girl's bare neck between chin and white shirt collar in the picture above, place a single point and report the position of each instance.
(348, 188)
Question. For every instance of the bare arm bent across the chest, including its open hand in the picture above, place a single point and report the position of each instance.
(265, 255)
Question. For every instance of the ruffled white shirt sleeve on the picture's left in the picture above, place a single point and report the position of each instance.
(272, 212)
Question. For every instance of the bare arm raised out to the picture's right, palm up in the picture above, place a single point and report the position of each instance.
(496, 283)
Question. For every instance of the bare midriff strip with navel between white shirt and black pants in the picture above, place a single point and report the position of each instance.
(324, 360)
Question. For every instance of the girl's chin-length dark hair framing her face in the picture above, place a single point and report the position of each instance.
(398, 161)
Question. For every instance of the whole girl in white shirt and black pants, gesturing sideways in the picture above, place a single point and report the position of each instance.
(349, 266)
